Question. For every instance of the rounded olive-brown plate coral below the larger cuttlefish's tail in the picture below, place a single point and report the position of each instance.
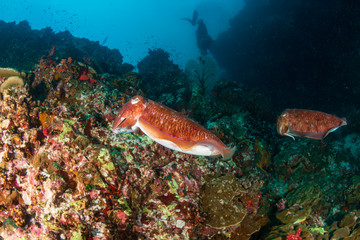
(225, 203)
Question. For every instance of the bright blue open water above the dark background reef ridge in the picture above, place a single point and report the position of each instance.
(130, 26)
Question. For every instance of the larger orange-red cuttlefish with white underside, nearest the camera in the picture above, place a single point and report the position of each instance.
(169, 128)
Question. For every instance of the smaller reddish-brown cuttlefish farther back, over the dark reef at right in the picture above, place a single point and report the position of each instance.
(307, 123)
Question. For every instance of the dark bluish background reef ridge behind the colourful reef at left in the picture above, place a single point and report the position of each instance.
(21, 47)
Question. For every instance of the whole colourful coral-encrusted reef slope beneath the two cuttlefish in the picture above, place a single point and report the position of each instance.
(65, 175)
